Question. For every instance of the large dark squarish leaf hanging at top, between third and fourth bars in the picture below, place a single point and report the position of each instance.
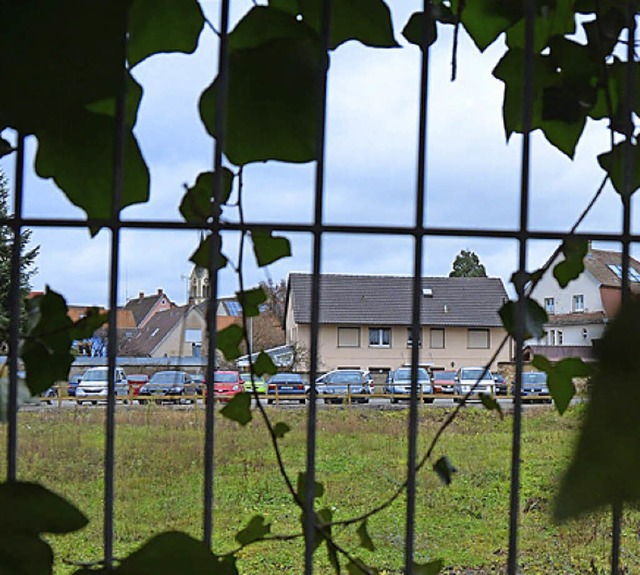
(273, 98)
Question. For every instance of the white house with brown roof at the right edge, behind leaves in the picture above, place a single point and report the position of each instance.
(579, 313)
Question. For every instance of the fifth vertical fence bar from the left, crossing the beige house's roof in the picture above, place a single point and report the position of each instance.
(412, 429)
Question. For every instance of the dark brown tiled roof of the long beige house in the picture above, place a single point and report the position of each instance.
(387, 300)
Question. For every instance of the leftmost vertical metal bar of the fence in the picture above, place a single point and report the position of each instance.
(14, 315)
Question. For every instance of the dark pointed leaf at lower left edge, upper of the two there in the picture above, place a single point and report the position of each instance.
(30, 508)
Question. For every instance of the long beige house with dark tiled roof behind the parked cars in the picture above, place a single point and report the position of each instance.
(365, 320)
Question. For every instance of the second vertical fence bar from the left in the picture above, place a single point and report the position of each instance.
(112, 348)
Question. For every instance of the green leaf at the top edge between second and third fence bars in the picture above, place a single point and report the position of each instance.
(163, 26)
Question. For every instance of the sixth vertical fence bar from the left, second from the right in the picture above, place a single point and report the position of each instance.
(527, 107)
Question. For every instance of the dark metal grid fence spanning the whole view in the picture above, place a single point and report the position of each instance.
(418, 233)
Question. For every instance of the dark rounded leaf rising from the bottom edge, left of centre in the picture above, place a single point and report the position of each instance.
(171, 553)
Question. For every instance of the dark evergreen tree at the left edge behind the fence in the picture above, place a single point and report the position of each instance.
(27, 269)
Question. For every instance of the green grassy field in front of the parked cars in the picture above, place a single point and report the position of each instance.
(361, 459)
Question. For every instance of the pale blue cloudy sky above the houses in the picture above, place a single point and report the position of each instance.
(473, 175)
